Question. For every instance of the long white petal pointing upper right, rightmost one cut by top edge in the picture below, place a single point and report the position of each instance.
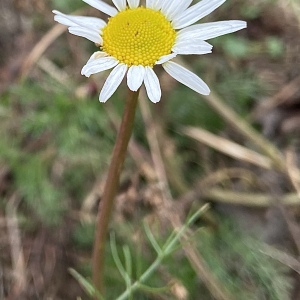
(195, 13)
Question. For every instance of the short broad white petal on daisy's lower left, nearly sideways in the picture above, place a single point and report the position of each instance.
(98, 65)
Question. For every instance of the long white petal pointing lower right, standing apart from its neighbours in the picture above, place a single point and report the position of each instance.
(186, 77)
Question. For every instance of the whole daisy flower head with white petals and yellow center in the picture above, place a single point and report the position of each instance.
(136, 38)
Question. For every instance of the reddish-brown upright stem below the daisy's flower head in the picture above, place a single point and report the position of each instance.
(110, 190)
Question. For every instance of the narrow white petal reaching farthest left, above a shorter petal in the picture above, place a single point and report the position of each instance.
(86, 22)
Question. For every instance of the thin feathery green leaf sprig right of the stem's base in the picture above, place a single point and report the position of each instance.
(139, 280)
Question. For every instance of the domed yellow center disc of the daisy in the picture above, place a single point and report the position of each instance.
(139, 36)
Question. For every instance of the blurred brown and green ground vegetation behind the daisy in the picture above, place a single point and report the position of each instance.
(55, 147)
